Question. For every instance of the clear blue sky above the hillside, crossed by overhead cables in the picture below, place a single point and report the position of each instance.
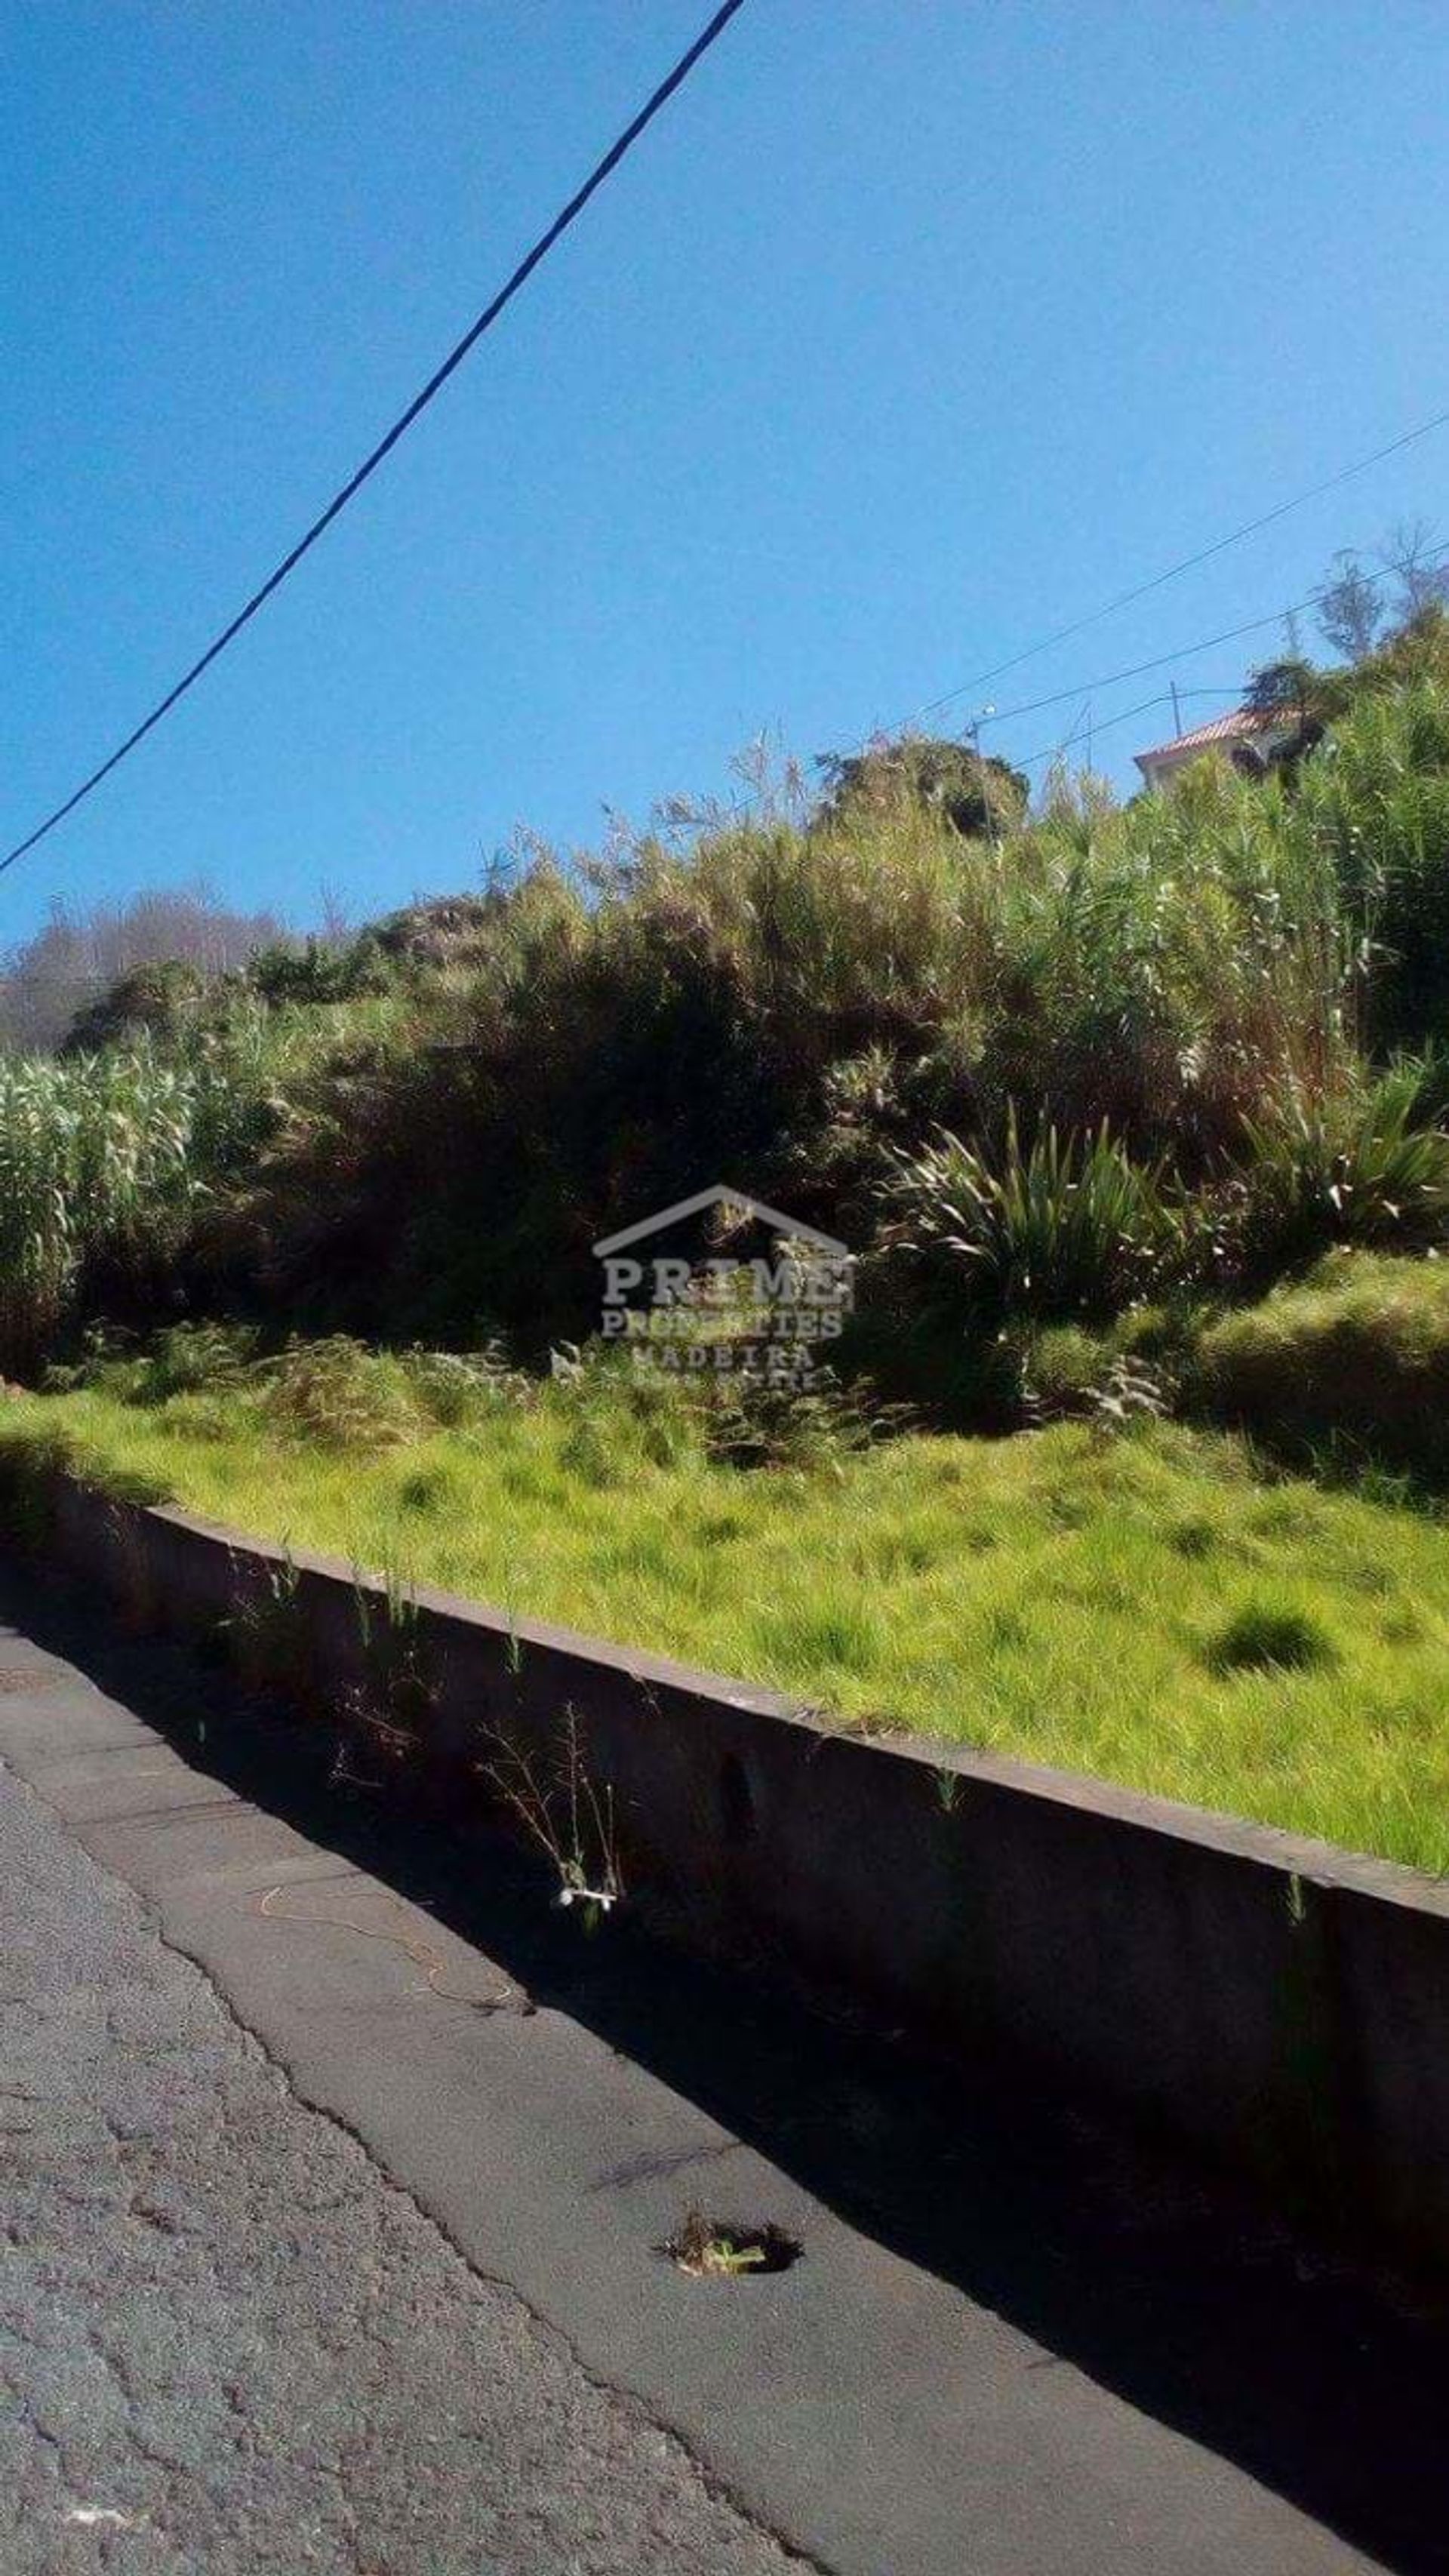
(915, 331)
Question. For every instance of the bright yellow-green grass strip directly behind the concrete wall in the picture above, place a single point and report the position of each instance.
(1149, 1606)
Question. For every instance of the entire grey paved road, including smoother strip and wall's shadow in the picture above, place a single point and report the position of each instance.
(320, 2260)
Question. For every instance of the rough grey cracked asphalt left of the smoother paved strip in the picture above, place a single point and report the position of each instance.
(230, 2343)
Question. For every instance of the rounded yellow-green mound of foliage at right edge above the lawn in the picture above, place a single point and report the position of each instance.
(1352, 1361)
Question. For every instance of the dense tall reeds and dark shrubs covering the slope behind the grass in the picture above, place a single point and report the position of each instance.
(1100, 1052)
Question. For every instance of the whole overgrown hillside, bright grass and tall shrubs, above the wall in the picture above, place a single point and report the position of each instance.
(1136, 1122)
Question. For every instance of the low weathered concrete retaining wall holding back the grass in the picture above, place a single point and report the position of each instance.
(1275, 2003)
